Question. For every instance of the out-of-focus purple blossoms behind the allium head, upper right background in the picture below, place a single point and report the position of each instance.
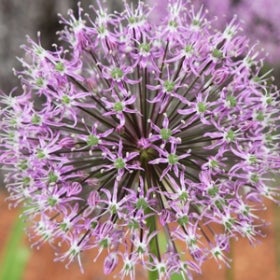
(260, 20)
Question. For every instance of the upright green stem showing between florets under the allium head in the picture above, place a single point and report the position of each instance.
(153, 246)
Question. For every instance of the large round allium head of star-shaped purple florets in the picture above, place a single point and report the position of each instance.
(138, 130)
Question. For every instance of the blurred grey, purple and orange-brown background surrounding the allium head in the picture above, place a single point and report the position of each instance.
(261, 20)
